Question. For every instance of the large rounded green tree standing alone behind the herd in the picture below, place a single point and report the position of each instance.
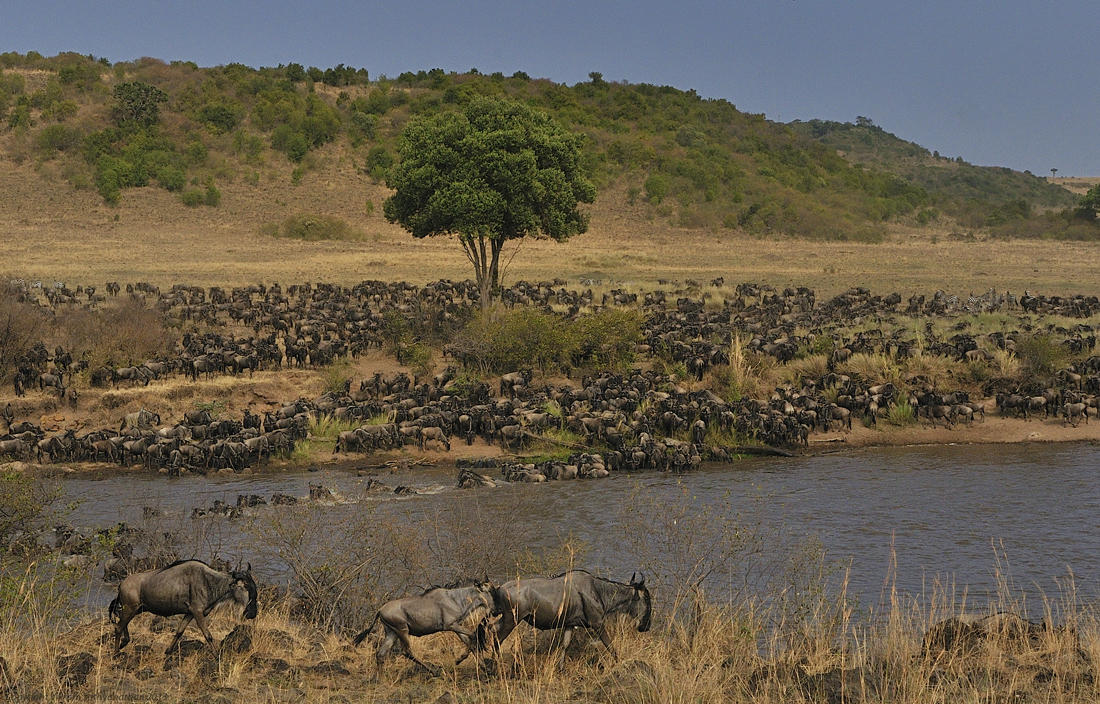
(499, 171)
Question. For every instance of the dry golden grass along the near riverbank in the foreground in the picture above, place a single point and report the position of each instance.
(721, 653)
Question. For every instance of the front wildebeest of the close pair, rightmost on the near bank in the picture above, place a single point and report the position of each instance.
(574, 600)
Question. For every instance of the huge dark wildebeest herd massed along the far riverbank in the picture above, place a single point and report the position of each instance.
(641, 420)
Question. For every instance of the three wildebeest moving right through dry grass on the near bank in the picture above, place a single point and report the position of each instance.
(480, 613)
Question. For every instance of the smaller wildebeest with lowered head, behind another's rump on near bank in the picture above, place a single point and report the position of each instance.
(460, 610)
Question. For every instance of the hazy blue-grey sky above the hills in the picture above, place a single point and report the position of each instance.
(1009, 83)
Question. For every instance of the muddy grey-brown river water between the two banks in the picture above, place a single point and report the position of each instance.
(966, 514)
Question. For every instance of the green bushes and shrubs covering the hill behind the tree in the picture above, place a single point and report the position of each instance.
(684, 160)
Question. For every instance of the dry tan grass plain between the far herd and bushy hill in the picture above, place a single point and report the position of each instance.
(54, 233)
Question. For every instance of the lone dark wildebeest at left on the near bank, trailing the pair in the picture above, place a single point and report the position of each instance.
(189, 587)
